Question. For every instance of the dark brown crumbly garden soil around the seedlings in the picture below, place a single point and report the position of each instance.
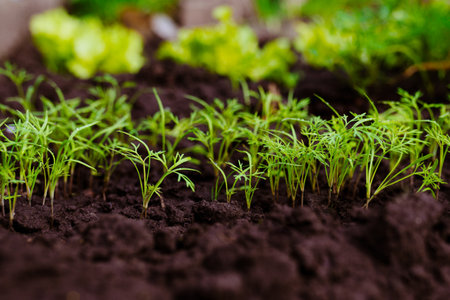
(198, 249)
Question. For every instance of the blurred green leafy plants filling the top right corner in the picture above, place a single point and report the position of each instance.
(370, 42)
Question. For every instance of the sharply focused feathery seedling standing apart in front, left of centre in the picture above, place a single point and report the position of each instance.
(142, 164)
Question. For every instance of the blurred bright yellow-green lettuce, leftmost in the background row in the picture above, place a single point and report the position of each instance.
(85, 47)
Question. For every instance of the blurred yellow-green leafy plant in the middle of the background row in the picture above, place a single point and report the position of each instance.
(232, 50)
